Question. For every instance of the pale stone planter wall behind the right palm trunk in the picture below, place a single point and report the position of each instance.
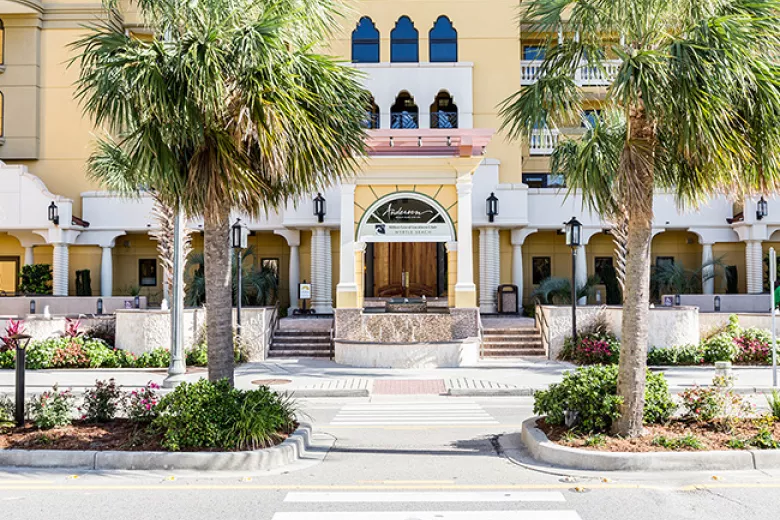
(667, 326)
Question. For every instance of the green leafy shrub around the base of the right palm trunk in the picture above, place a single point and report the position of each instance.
(591, 392)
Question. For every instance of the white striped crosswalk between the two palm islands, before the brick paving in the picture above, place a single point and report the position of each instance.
(417, 414)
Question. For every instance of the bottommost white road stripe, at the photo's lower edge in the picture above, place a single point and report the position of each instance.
(434, 515)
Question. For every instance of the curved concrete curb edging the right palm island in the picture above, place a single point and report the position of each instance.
(544, 450)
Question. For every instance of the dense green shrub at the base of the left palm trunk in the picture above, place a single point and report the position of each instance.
(215, 415)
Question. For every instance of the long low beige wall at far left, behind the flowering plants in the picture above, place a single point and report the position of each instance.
(19, 306)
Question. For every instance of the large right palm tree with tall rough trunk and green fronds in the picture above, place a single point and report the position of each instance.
(694, 108)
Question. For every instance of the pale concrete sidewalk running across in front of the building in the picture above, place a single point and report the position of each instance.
(322, 378)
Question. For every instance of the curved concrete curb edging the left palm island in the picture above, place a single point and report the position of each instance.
(292, 449)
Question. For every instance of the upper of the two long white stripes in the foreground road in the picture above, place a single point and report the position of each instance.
(540, 496)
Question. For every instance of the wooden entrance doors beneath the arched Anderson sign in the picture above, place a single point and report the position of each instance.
(405, 235)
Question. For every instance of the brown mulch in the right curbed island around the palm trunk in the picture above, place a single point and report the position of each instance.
(712, 436)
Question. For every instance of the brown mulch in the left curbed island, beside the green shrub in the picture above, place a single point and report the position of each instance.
(117, 435)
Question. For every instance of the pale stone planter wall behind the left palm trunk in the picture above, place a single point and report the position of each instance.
(141, 331)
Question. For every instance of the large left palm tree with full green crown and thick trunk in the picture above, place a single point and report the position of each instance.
(227, 108)
